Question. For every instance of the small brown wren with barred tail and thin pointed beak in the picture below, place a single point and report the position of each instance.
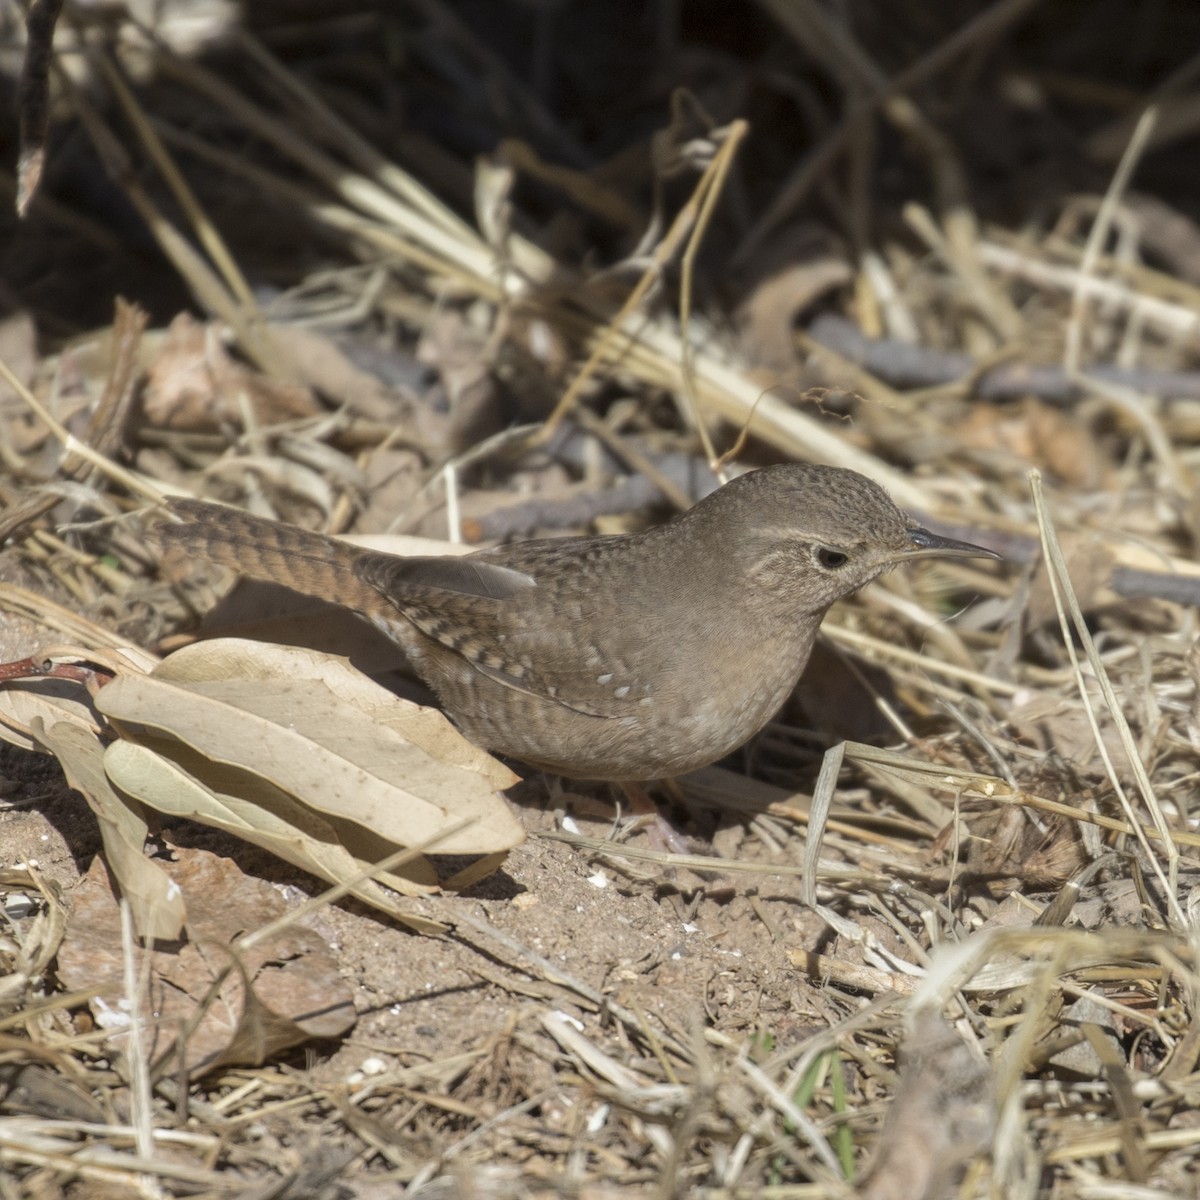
(626, 658)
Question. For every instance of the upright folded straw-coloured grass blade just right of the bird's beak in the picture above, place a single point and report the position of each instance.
(1065, 599)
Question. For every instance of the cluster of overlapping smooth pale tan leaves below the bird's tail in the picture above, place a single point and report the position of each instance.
(301, 754)
